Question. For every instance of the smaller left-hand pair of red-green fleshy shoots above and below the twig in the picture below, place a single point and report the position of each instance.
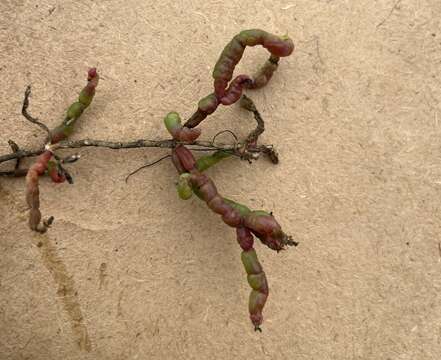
(44, 164)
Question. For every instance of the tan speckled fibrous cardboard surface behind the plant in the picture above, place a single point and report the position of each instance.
(130, 272)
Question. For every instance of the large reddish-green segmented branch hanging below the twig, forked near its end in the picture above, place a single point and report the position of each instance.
(247, 222)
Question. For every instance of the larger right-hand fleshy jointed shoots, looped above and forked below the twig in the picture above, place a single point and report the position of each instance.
(192, 179)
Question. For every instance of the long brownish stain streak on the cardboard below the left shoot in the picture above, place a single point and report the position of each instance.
(66, 292)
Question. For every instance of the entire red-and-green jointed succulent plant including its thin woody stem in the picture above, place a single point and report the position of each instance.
(192, 179)
